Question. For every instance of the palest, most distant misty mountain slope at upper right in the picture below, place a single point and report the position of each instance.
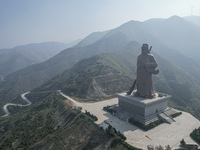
(178, 34)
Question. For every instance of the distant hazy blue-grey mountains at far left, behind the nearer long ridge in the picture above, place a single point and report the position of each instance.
(19, 57)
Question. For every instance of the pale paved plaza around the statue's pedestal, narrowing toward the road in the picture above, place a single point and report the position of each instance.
(164, 134)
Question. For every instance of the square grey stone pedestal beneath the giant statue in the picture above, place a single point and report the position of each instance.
(141, 109)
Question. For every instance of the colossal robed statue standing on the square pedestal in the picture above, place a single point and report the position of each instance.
(146, 66)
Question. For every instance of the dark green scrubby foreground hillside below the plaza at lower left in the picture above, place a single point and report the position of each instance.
(51, 122)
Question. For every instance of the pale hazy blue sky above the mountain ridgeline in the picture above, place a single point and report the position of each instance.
(34, 21)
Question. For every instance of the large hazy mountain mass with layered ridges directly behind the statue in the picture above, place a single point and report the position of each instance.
(174, 42)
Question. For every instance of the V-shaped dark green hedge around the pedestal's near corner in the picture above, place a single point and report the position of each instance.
(146, 127)
